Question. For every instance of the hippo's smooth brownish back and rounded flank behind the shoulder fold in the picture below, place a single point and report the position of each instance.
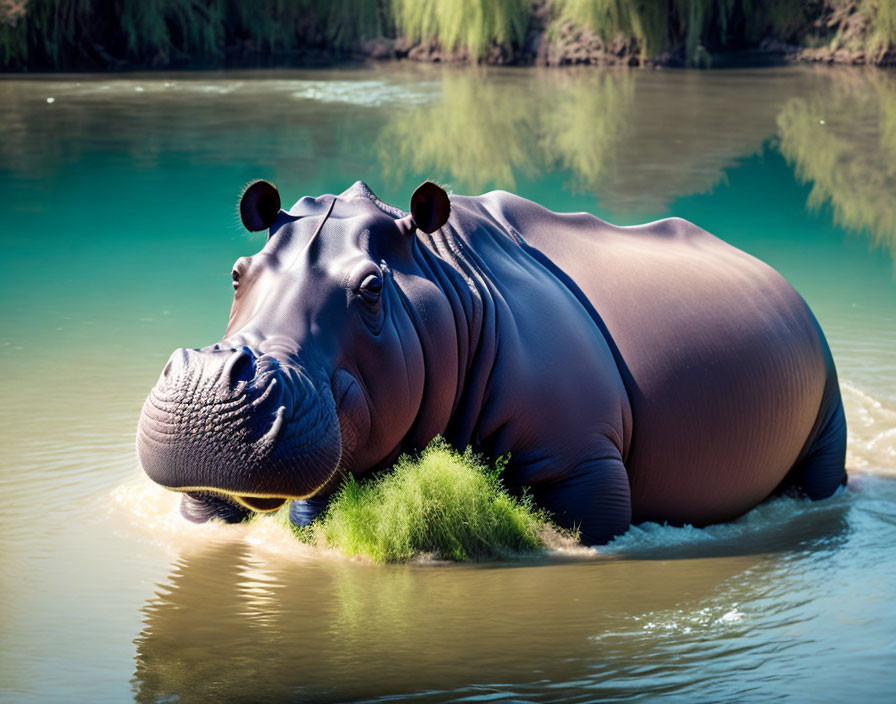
(725, 366)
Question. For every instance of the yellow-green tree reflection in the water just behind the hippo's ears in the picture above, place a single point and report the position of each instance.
(487, 129)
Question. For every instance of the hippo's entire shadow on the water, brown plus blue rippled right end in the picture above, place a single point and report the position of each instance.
(230, 624)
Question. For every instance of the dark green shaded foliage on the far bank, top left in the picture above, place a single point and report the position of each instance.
(61, 33)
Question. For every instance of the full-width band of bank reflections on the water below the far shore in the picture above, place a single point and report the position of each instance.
(634, 140)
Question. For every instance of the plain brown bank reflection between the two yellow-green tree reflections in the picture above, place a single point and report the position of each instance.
(686, 129)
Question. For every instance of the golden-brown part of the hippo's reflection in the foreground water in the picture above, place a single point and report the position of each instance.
(342, 630)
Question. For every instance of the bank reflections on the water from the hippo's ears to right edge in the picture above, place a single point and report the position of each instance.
(639, 140)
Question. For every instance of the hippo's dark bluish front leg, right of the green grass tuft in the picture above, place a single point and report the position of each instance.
(595, 499)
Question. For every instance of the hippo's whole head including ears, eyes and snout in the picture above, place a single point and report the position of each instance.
(321, 365)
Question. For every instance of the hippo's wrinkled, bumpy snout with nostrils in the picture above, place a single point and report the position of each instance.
(233, 422)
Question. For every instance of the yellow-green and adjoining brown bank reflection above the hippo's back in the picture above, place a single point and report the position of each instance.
(636, 140)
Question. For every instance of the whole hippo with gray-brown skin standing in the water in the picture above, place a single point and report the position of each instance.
(631, 373)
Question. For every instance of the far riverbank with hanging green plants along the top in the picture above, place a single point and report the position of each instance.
(39, 35)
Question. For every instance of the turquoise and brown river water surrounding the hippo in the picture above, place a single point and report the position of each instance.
(119, 230)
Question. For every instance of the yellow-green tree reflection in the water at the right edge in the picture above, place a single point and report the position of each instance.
(843, 140)
